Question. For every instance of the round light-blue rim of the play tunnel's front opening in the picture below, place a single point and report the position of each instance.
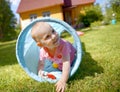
(70, 30)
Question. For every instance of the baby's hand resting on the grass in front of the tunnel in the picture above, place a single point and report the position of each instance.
(60, 86)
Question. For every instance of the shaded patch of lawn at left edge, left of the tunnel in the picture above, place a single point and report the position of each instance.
(7, 54)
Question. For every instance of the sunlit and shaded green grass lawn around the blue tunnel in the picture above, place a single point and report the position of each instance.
(99, 70)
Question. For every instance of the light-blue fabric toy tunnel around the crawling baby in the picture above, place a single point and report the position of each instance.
(27, 52)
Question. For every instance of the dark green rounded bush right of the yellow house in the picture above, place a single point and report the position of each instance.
(88, 18)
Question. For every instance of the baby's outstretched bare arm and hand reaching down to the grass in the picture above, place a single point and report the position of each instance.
(61, 84)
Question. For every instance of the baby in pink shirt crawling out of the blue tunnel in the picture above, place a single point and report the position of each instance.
(60, 52)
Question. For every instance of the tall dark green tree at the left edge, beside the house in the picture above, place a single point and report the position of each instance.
(7, 21)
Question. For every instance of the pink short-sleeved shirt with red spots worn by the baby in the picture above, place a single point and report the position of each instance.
(63, 49)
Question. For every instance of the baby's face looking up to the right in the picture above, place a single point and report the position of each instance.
(50, 38)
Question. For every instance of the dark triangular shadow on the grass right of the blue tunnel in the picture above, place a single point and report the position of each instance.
(88, 66)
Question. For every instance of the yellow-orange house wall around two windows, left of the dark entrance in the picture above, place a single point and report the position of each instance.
(55, 12)
